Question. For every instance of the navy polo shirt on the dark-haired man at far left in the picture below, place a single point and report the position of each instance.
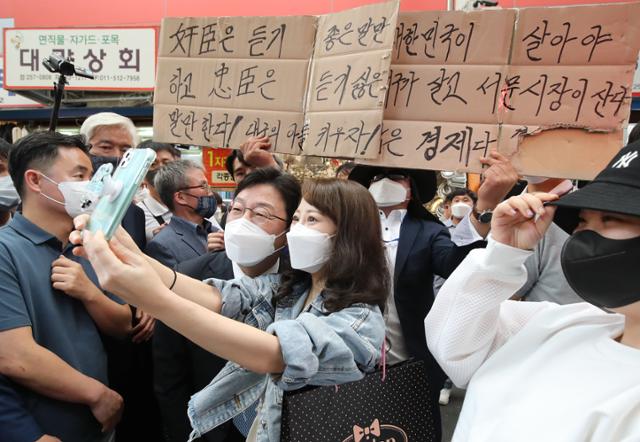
(59, 322)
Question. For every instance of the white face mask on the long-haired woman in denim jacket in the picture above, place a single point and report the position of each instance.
(309, 249)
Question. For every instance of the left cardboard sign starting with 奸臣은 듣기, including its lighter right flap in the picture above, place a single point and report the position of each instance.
(222, 79)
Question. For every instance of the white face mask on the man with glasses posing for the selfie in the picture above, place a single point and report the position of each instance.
(247, 244)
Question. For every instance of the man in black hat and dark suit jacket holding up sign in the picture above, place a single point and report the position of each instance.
(419, 247)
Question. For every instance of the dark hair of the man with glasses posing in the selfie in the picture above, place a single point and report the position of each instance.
(286, 185)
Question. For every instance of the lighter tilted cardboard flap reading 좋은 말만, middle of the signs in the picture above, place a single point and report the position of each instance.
(348, 81)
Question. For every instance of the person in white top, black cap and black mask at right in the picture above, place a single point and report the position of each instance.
(539, 371)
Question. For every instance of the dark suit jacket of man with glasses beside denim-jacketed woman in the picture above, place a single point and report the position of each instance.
(182, 368)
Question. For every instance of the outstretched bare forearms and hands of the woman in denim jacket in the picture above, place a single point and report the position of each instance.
(143, 283)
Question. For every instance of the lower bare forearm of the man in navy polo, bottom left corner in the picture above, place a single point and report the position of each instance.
(38, 369)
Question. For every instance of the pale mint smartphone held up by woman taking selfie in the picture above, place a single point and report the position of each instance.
(118, 192)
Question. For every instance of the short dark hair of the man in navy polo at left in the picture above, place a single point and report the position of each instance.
(39, 150)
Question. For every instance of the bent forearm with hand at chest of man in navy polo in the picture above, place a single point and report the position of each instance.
(111, 318)
